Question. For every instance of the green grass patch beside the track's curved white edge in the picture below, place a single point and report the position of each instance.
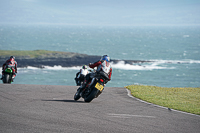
(183, 99)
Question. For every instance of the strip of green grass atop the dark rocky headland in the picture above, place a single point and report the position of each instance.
(31, 54)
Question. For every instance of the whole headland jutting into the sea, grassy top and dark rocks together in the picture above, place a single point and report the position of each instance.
(40, 58)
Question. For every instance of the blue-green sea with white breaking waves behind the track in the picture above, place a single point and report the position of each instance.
(173, 52)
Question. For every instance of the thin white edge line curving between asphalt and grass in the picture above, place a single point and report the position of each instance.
(129, 94)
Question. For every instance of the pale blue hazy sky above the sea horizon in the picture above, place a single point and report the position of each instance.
(100, 12)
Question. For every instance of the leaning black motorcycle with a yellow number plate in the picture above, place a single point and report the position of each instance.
(94, 88)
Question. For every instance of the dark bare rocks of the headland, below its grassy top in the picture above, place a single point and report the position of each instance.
(64, 61)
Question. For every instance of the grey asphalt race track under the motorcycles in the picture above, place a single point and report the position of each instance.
(51, 109)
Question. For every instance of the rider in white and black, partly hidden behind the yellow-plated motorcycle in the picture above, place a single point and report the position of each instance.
(80, 76)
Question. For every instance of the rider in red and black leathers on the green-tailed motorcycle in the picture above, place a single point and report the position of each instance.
(10, 63)
